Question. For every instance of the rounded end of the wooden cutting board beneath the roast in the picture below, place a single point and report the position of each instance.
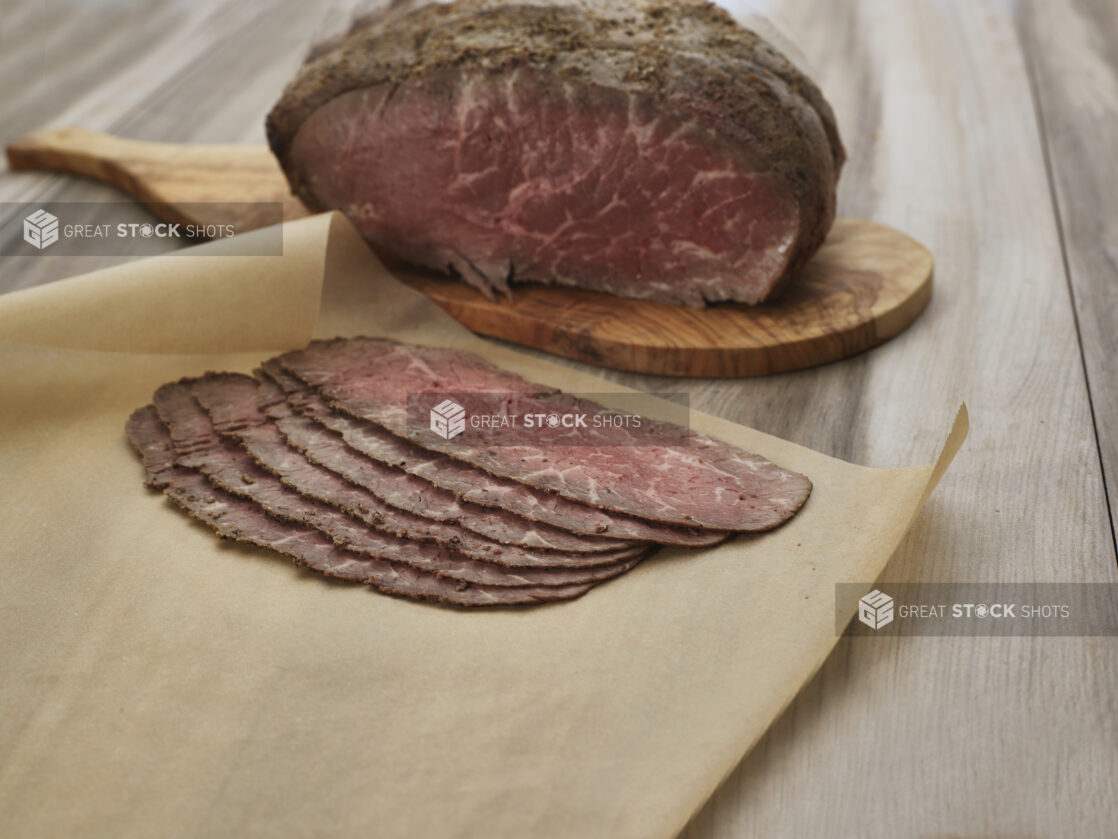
(866, 285)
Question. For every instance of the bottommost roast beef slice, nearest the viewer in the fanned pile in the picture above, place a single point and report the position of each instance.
(243, 521)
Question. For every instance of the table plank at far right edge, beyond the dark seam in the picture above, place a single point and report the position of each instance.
(1074, 54)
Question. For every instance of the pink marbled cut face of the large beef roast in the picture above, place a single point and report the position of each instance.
(533, 178)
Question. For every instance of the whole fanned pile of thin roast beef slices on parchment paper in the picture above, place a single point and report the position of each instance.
(319, 459)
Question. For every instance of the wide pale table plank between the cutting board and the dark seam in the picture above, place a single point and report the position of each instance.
(935, 738)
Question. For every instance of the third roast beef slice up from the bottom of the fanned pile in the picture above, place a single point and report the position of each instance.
(233, 404)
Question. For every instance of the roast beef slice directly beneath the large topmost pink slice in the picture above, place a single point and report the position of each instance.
(468, 484)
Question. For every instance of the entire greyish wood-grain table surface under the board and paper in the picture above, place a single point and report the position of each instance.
(987, 130)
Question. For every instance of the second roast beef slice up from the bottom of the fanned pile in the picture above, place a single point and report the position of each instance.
(230, 468)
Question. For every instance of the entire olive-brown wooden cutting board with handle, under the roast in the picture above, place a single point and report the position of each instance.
(866, 285)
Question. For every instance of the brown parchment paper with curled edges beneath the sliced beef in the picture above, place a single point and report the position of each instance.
(156, 682)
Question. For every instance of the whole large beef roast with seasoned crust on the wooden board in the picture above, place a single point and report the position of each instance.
(648, 149)
